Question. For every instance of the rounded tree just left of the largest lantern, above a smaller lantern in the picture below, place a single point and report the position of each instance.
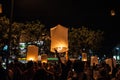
(36, 32)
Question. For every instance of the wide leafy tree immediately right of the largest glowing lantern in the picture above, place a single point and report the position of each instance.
(83, 39)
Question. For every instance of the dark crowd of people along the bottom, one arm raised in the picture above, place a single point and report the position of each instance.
(77, 70)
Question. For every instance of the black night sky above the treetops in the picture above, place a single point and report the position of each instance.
(94, 14)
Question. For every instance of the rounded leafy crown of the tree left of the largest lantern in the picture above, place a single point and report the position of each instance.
(32, 31)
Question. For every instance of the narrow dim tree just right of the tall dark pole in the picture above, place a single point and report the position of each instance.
(16, 32)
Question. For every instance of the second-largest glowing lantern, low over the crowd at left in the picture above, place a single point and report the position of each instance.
(32, 53)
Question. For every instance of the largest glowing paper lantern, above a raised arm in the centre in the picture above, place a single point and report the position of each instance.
(59, 38)
